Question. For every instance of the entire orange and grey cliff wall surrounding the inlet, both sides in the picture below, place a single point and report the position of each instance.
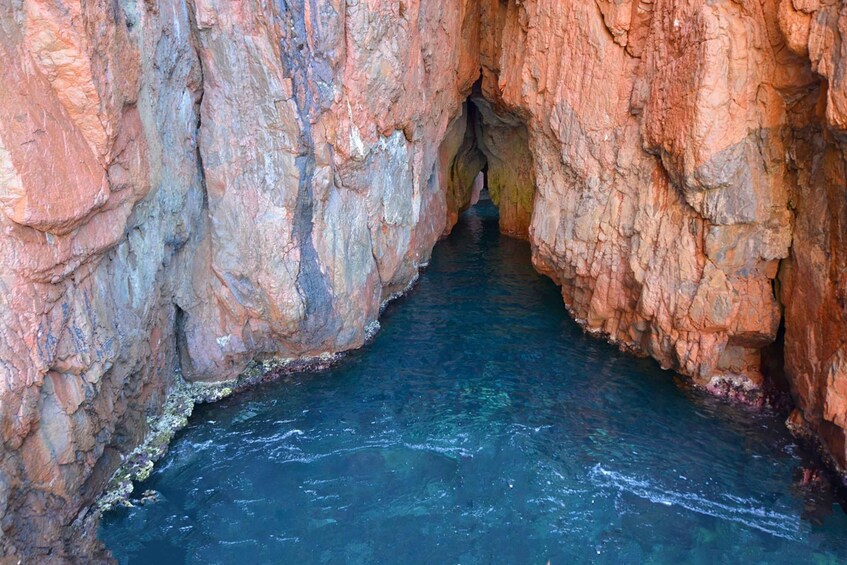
(189, 185)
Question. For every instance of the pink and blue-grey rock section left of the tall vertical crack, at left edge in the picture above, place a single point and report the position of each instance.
(100, 191)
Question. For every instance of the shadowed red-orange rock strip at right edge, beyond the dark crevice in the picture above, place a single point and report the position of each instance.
(814, 277)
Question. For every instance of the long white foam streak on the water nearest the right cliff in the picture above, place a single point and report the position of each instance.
(746, 511)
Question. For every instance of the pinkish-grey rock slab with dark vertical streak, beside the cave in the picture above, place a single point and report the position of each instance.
(319, 140)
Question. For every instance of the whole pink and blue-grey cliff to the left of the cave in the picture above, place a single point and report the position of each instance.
(194, 185)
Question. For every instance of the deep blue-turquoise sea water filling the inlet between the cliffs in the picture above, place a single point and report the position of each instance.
(480, 426)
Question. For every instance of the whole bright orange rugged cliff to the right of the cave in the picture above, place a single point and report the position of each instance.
(690, 181)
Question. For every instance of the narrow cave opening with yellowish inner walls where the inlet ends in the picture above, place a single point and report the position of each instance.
(486, 149)
